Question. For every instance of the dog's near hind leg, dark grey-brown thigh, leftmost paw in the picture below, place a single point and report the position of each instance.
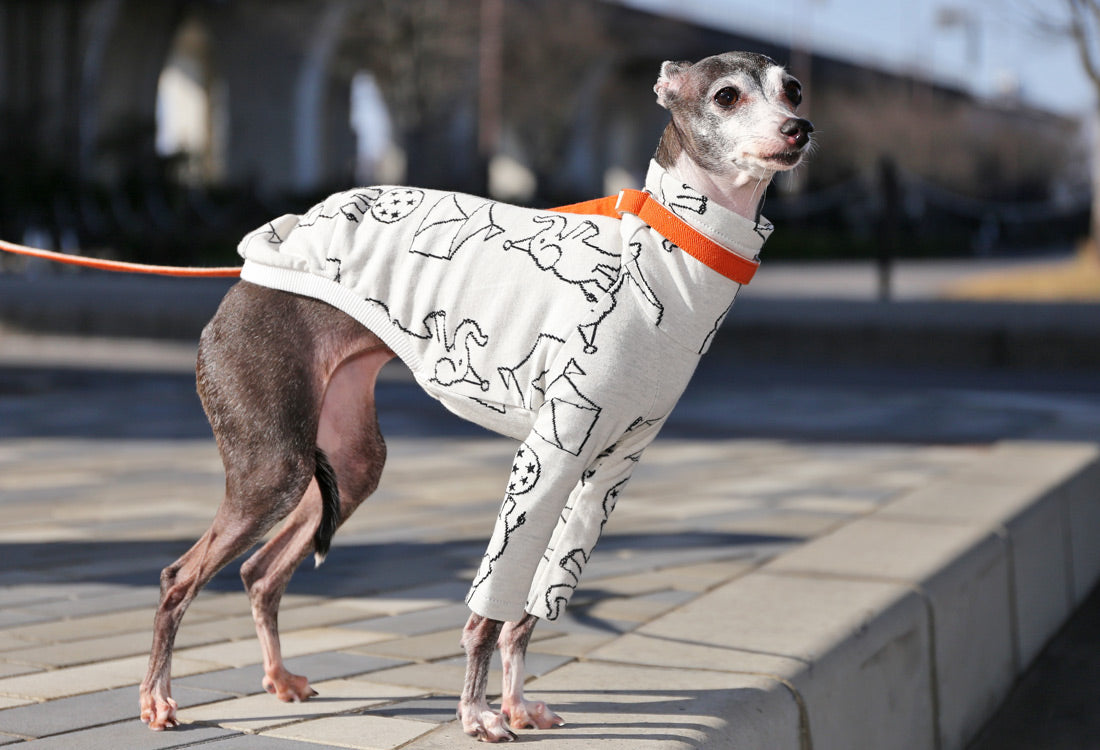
(259, 387)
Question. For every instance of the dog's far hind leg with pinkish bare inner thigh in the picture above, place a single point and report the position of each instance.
(349, 436)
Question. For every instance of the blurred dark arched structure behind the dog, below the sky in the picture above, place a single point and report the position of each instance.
(155, 118)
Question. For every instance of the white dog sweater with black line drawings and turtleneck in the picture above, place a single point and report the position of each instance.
(576, 335)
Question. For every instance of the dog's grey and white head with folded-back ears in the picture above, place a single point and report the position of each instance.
(735, 113)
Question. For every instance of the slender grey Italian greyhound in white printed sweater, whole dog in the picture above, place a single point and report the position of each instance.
(576, 335)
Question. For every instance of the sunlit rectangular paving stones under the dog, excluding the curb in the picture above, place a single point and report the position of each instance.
(90, 524)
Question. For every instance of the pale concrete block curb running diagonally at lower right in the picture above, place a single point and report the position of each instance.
(904, 630)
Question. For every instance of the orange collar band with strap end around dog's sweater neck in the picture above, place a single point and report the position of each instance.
(674, 229)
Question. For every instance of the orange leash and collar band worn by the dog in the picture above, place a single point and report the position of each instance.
(668, 225)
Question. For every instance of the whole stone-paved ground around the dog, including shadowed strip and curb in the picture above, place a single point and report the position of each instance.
(805, 559)
